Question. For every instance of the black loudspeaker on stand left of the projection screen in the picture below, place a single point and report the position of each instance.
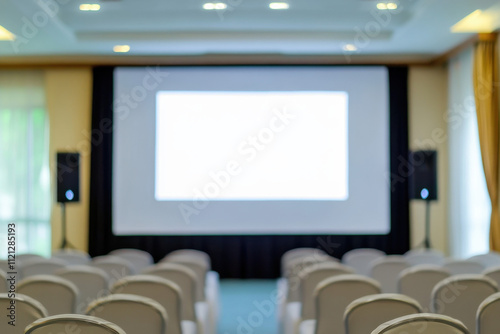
(68, 177)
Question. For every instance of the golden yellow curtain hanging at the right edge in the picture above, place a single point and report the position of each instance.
(485, 78)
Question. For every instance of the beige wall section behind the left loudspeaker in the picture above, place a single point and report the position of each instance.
(68, 97)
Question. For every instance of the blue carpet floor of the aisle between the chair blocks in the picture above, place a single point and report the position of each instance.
(248, 307)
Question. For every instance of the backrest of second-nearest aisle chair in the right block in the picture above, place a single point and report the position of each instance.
(311, 276)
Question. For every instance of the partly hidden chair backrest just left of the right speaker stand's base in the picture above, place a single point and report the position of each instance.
(386, 270)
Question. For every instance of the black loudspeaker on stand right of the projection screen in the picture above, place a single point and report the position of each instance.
(423, 175)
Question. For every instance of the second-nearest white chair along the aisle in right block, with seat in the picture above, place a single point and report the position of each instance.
(310, 278)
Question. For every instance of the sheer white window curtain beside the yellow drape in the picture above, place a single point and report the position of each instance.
(469, 203)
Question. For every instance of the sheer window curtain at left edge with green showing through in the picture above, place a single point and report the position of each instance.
(25, 197)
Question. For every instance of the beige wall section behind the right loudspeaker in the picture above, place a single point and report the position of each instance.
(428, 103)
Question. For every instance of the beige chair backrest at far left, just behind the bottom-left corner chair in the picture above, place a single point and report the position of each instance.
(58, 295)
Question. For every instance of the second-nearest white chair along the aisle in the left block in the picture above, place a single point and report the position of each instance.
(185, 278)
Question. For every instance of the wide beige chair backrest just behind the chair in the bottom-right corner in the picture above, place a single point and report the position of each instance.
(459, 297)
